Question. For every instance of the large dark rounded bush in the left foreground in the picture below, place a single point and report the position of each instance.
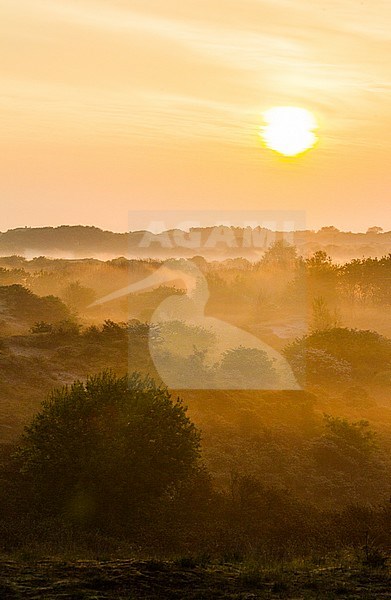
(106, 450)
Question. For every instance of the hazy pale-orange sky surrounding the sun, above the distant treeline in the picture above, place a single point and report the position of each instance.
(109, 106)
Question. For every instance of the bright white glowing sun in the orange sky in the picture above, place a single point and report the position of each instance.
(289, 130)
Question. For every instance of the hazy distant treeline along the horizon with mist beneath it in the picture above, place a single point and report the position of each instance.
(210, 242)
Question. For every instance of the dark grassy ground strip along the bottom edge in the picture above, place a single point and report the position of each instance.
(128, 579)
